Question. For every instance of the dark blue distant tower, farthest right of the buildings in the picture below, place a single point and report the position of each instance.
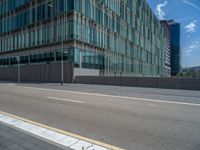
(175, 47)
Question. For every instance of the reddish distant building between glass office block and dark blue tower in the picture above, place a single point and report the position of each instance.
(167, 48)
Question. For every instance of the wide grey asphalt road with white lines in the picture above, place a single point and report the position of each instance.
(131, 118)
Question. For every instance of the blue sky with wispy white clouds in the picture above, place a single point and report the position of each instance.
(187, 12)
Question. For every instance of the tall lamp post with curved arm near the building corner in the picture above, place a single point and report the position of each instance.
(62, 40)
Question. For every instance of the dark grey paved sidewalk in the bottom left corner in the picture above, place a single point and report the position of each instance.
(12, 139)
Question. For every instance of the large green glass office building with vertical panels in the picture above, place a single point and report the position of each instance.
(101, 37)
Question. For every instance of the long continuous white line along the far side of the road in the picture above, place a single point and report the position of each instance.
(112, 96)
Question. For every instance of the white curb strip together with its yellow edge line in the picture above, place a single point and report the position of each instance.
(57, 136)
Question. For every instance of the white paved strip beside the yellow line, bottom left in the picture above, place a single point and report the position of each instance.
(59, 138)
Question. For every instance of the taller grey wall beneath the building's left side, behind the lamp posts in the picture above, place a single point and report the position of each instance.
(38, 73)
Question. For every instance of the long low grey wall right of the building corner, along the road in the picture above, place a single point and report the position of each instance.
(166, 83)
